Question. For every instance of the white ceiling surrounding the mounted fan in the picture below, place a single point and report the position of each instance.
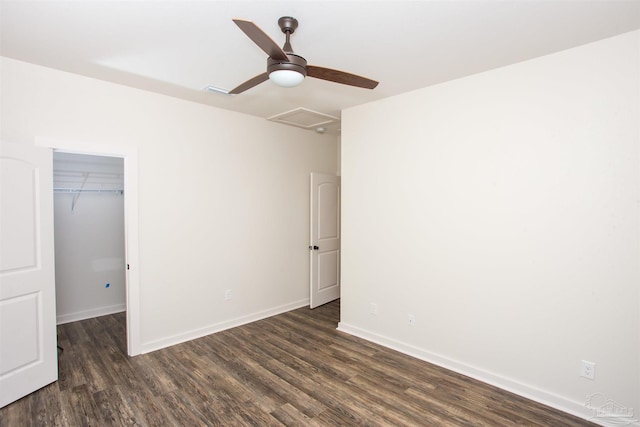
(179, 47)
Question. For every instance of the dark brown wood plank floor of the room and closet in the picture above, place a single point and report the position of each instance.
(291, 369)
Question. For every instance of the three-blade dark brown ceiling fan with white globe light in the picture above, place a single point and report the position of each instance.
(286, 68)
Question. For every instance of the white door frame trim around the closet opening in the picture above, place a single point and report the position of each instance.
(132, 279)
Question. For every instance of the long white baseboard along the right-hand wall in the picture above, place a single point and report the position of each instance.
(558, 402)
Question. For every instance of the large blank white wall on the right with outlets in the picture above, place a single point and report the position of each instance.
(502, 211)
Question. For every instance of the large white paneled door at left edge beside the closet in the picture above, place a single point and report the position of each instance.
(28, 353)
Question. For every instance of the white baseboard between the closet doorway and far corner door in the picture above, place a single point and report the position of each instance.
(218, 327)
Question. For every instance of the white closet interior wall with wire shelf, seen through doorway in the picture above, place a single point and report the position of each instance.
(89, 236)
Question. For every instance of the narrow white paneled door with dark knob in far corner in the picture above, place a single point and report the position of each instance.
(325, 238)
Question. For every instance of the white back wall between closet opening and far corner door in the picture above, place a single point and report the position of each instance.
(223, 197)
